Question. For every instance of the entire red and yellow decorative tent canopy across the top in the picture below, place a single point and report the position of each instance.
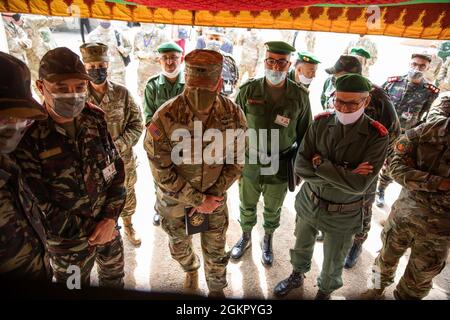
(426, 19)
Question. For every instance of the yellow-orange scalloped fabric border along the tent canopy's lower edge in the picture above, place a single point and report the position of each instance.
(425, 20)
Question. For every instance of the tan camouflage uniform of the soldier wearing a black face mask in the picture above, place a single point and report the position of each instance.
(124, 121)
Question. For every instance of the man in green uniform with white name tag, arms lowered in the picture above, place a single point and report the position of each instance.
(272, 104)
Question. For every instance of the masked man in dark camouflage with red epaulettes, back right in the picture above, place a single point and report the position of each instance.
(412, 97)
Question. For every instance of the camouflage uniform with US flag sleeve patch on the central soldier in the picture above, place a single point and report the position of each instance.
(186, 185)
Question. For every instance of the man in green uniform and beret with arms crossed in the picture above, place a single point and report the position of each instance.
(339, 160)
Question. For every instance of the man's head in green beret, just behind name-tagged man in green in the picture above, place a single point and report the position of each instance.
(305, 68)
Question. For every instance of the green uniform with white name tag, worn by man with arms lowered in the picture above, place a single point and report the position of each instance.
(263, 113)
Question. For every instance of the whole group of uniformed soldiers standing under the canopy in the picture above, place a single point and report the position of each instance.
(68, 169)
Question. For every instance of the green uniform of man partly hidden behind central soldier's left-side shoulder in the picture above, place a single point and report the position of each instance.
(158, 91)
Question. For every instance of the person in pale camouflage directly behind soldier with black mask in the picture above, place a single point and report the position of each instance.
(118, 48)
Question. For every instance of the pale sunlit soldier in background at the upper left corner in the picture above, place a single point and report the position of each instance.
(18, 41)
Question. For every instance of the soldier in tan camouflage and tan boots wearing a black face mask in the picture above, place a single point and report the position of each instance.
(123, 118)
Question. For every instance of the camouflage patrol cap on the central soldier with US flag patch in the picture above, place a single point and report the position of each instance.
(203, 68)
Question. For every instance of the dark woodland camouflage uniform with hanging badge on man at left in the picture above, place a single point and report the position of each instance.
(68, 178)
